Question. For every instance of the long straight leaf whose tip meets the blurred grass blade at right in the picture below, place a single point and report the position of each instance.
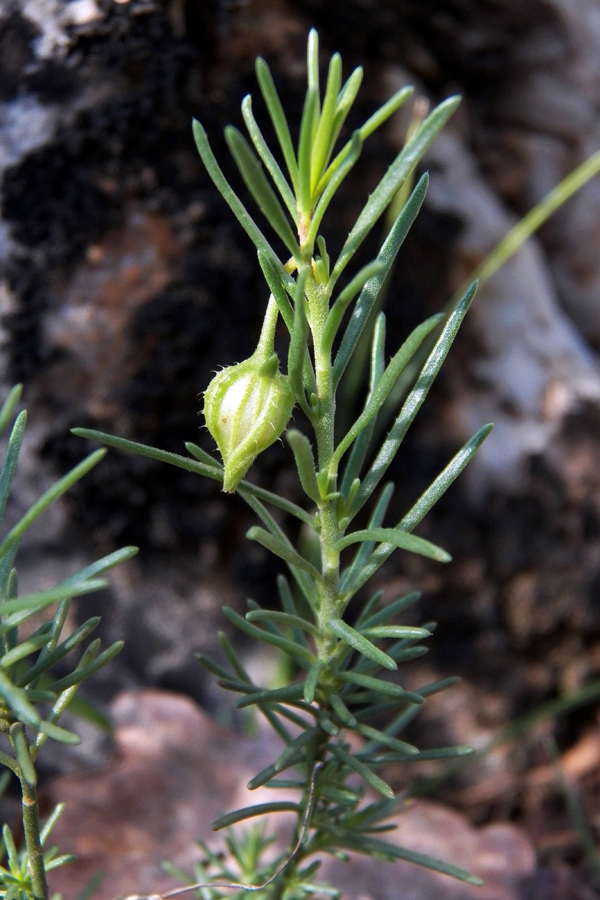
(414, 401)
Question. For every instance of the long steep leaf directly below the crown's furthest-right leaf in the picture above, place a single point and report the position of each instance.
(370, 292)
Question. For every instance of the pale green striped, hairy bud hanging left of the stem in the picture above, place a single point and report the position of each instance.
(246, 408)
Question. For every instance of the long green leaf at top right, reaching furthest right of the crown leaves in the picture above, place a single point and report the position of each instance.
(399, 170)
